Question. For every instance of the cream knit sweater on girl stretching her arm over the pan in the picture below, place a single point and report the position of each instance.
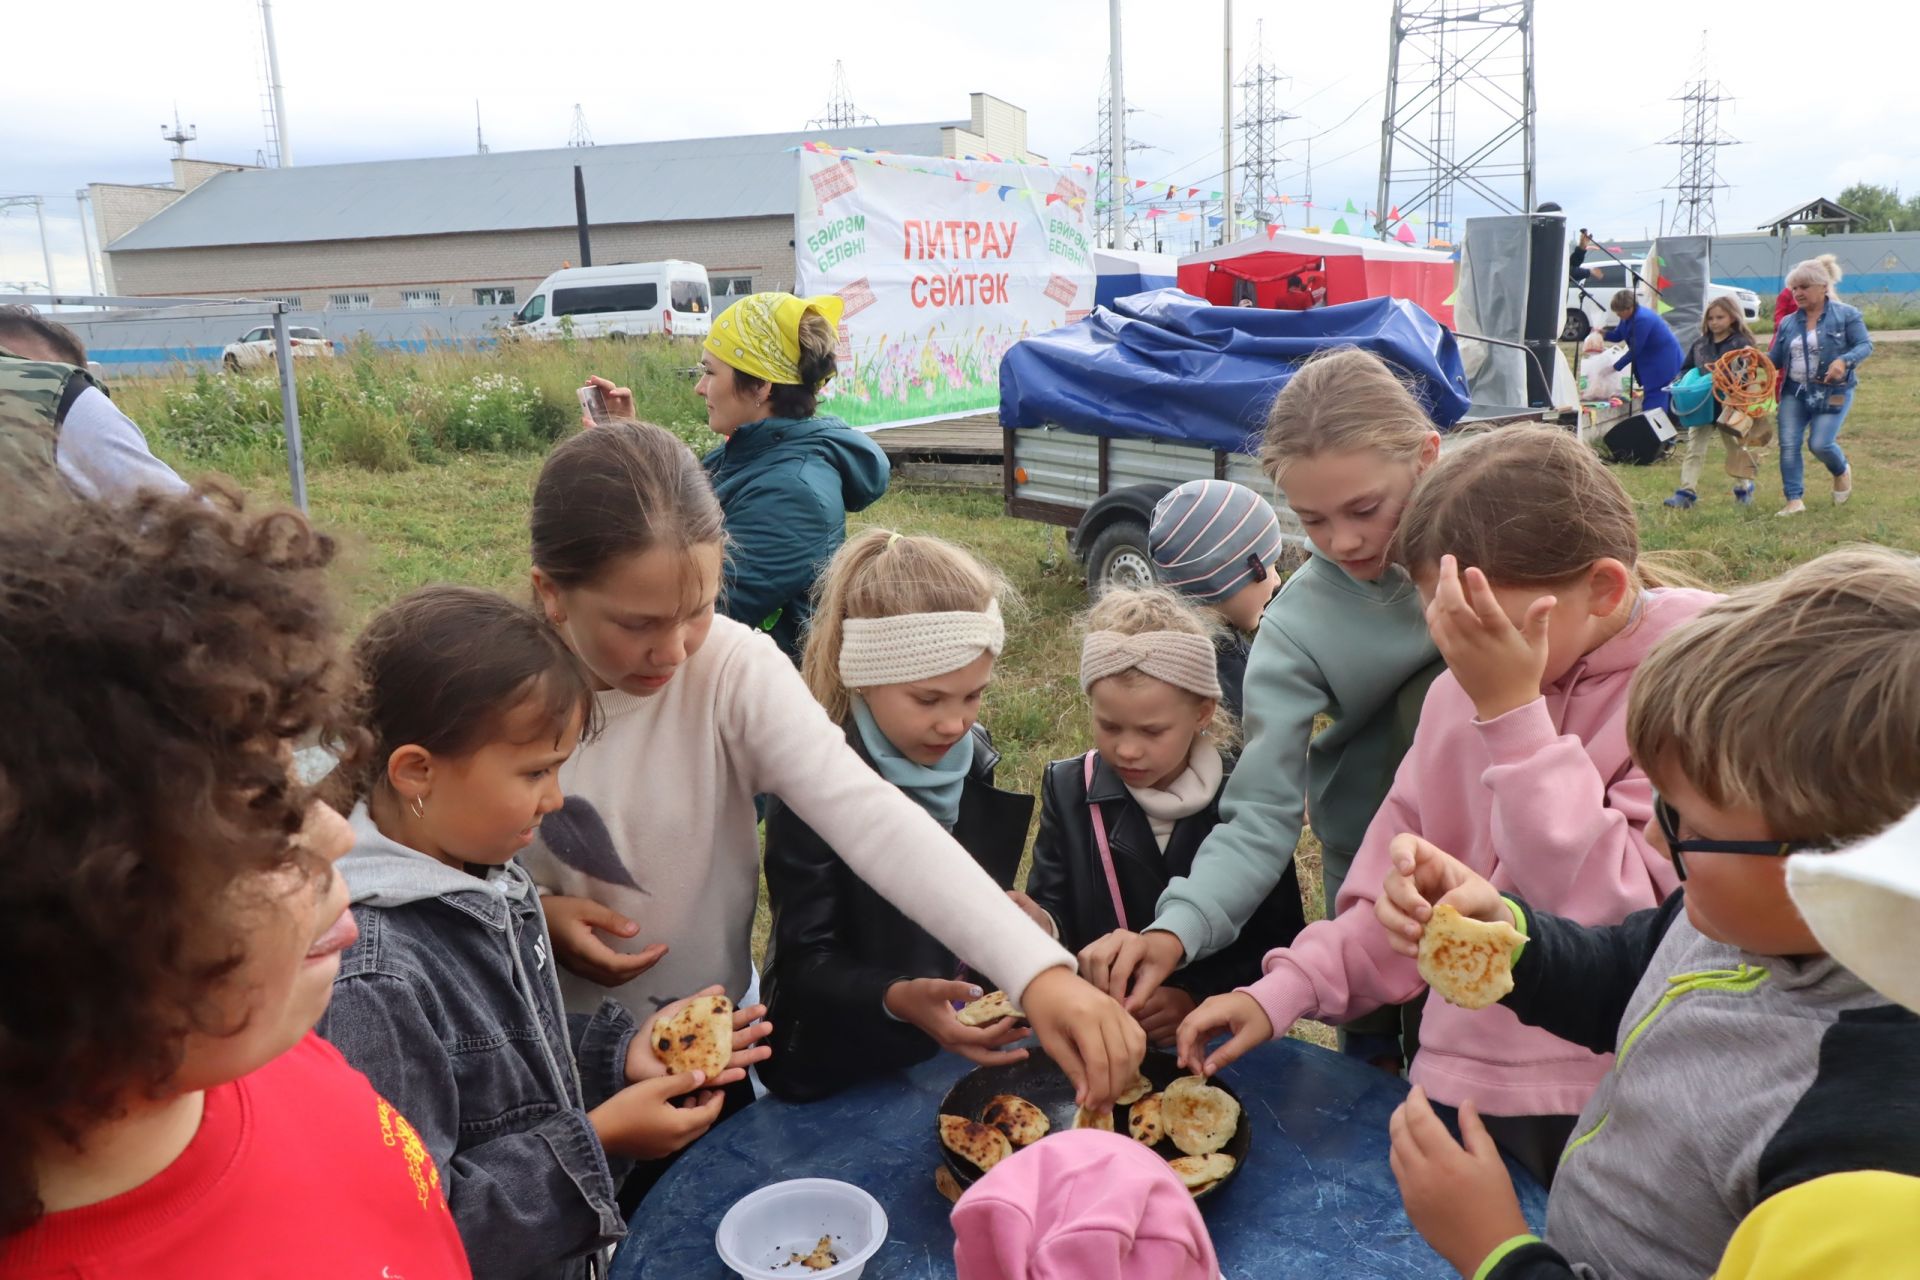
(660, 826)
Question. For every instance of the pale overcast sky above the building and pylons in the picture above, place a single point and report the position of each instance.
(1823, 97)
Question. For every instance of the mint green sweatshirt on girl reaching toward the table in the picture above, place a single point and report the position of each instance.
(1328, 646)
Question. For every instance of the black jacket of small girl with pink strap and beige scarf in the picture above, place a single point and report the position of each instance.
(1070, 882)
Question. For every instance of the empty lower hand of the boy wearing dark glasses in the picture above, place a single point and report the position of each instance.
(1458, 1198)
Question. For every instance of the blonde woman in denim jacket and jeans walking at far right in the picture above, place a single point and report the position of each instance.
(1817, 348)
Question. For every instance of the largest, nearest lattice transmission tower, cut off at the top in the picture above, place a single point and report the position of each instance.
(1445, 53)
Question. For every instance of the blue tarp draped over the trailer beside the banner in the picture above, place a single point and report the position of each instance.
(1168, 366)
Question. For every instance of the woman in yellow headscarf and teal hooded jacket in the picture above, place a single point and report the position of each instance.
(786, 475)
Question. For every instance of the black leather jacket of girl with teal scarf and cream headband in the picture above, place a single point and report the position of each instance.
(838, 945)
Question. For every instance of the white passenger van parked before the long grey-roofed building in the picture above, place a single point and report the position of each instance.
(621, 302)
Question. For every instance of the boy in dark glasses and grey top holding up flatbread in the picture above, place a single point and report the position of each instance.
(1760, 1118)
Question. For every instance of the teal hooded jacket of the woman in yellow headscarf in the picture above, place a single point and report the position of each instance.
(786, 490)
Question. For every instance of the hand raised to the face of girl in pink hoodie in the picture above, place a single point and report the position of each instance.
(1499, 665)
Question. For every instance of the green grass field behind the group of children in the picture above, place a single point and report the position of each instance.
(464, 519)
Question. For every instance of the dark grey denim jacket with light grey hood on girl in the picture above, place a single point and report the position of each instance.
(450, 1005)
